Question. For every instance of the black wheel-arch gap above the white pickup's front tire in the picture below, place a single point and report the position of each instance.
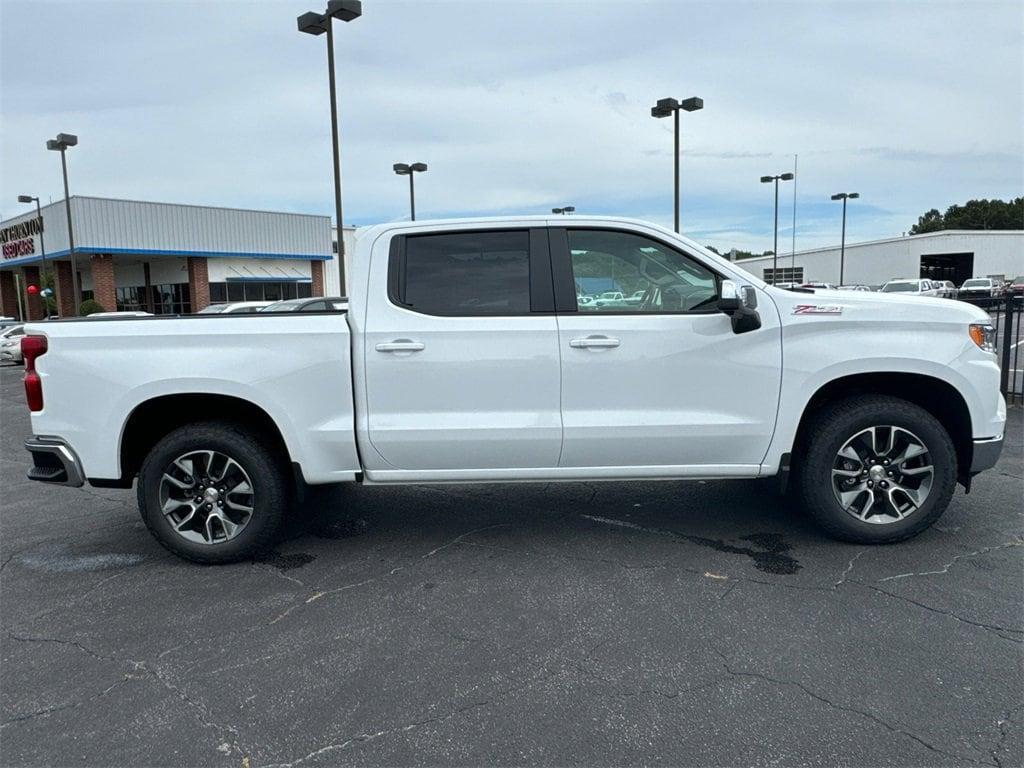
(940, 398)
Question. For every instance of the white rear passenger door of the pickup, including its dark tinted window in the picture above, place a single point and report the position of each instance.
(461, 358)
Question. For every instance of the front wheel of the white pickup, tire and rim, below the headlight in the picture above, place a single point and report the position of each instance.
(876, 470)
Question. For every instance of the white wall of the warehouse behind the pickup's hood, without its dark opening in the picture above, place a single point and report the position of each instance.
(996, 253)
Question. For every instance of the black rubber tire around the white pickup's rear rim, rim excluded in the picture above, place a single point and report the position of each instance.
(267, 472)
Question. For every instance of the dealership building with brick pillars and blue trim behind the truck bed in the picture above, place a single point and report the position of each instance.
(164, 259)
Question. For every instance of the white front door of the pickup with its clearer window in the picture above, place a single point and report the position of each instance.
(653, 373)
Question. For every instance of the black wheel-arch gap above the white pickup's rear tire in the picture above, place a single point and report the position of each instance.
(153, 419)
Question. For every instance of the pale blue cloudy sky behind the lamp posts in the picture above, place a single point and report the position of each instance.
(521, 107)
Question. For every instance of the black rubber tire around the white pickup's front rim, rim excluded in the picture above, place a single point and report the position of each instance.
(826, 437)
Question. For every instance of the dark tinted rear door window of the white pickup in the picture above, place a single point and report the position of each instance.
(465, 274)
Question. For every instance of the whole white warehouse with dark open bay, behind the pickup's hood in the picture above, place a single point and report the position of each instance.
(954, 254)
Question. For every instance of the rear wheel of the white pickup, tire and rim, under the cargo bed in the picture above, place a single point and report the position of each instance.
(212, 493)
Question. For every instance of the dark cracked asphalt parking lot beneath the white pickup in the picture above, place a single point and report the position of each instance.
(656, 624)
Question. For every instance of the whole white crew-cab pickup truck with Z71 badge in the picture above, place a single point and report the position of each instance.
(463, 357)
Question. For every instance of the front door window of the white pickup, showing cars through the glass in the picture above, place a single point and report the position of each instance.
(625, 273)
